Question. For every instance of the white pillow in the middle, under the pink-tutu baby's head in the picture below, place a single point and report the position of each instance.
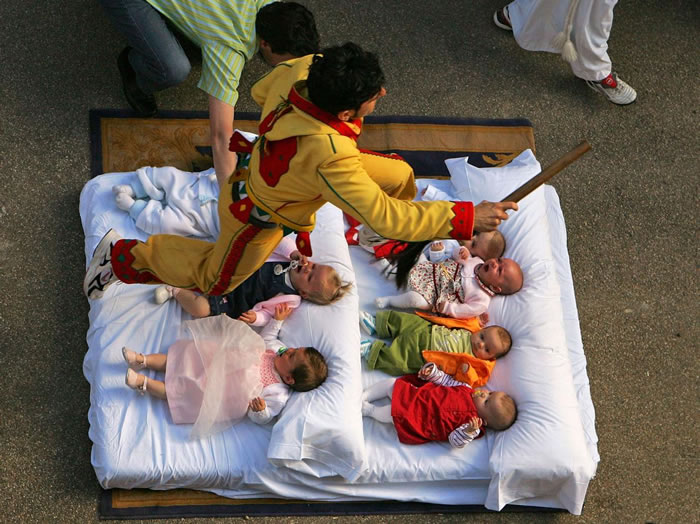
(320, 432)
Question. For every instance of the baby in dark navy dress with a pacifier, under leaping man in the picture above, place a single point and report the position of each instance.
(253, 302)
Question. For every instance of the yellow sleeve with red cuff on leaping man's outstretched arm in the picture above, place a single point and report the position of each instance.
(346, 184)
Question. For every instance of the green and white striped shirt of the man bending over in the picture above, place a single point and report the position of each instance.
(225, 30)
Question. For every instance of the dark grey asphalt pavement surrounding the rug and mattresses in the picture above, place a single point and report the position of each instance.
(630, 206)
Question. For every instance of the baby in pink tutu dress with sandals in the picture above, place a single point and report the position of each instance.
(224, 370)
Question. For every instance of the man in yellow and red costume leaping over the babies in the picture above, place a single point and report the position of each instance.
(306, 155)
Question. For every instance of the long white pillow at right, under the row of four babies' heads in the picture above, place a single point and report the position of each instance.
(548, 433)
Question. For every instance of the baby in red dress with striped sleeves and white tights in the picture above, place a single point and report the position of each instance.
(431, 406)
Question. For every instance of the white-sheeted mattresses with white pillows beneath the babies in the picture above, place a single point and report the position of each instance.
(321, 449)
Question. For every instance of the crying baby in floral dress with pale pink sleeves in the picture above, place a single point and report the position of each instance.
(460, 287)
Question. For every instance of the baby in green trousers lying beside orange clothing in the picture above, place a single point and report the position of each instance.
(411, 334)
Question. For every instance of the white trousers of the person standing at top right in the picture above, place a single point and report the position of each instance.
(536, 23)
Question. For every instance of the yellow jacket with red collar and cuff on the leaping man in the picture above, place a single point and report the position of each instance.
(306, 157)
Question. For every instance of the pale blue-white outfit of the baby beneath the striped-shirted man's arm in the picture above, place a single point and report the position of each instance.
(189, 207)
